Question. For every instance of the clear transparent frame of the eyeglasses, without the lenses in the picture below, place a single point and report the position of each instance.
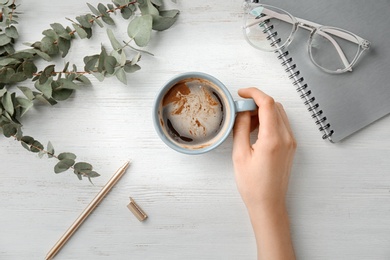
(314, 28)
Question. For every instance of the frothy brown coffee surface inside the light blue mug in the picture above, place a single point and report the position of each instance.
(193, 111)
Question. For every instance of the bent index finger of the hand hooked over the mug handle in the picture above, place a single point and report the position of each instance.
(268, 116)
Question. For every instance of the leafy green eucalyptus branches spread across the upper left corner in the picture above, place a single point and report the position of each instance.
(51, 86)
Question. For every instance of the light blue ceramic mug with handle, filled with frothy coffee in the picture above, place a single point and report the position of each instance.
(194, 112)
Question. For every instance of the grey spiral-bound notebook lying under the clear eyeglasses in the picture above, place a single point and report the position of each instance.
(342, 104)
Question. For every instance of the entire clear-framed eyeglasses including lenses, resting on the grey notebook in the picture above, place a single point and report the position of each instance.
(332, 49)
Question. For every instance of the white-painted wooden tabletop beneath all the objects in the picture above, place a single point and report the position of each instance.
(338, 198)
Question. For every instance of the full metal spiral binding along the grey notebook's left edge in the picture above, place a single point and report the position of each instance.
(298, 81)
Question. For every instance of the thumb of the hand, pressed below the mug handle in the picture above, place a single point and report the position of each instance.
(241, 135)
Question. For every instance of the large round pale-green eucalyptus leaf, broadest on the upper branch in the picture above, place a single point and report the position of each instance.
(140, 29)
